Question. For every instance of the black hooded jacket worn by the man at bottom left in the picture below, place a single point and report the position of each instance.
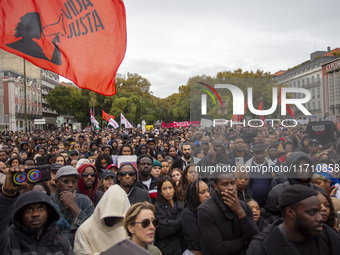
(18, 239)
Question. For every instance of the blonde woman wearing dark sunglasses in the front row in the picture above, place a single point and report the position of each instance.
(140, 224)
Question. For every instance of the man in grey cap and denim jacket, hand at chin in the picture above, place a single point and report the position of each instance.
(73, 208)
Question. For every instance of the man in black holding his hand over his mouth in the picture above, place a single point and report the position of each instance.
(226, 224)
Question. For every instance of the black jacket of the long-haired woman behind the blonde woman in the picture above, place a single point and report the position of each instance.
(169, 233)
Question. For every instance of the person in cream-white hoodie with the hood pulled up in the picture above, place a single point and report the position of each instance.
(105, 227)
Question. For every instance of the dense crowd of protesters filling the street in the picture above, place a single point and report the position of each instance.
(172, 199)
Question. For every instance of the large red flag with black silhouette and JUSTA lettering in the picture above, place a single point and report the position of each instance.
(84, 41)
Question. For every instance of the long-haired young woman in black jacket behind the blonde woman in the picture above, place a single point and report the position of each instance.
(169, 235)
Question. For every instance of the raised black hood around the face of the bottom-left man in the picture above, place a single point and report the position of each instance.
(34, 197)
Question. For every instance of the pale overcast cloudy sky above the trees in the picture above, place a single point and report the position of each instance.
(171, 41)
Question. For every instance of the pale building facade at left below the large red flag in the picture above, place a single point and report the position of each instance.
(12, 93)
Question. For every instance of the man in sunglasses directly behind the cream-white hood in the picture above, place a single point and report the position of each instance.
(126, 178)
